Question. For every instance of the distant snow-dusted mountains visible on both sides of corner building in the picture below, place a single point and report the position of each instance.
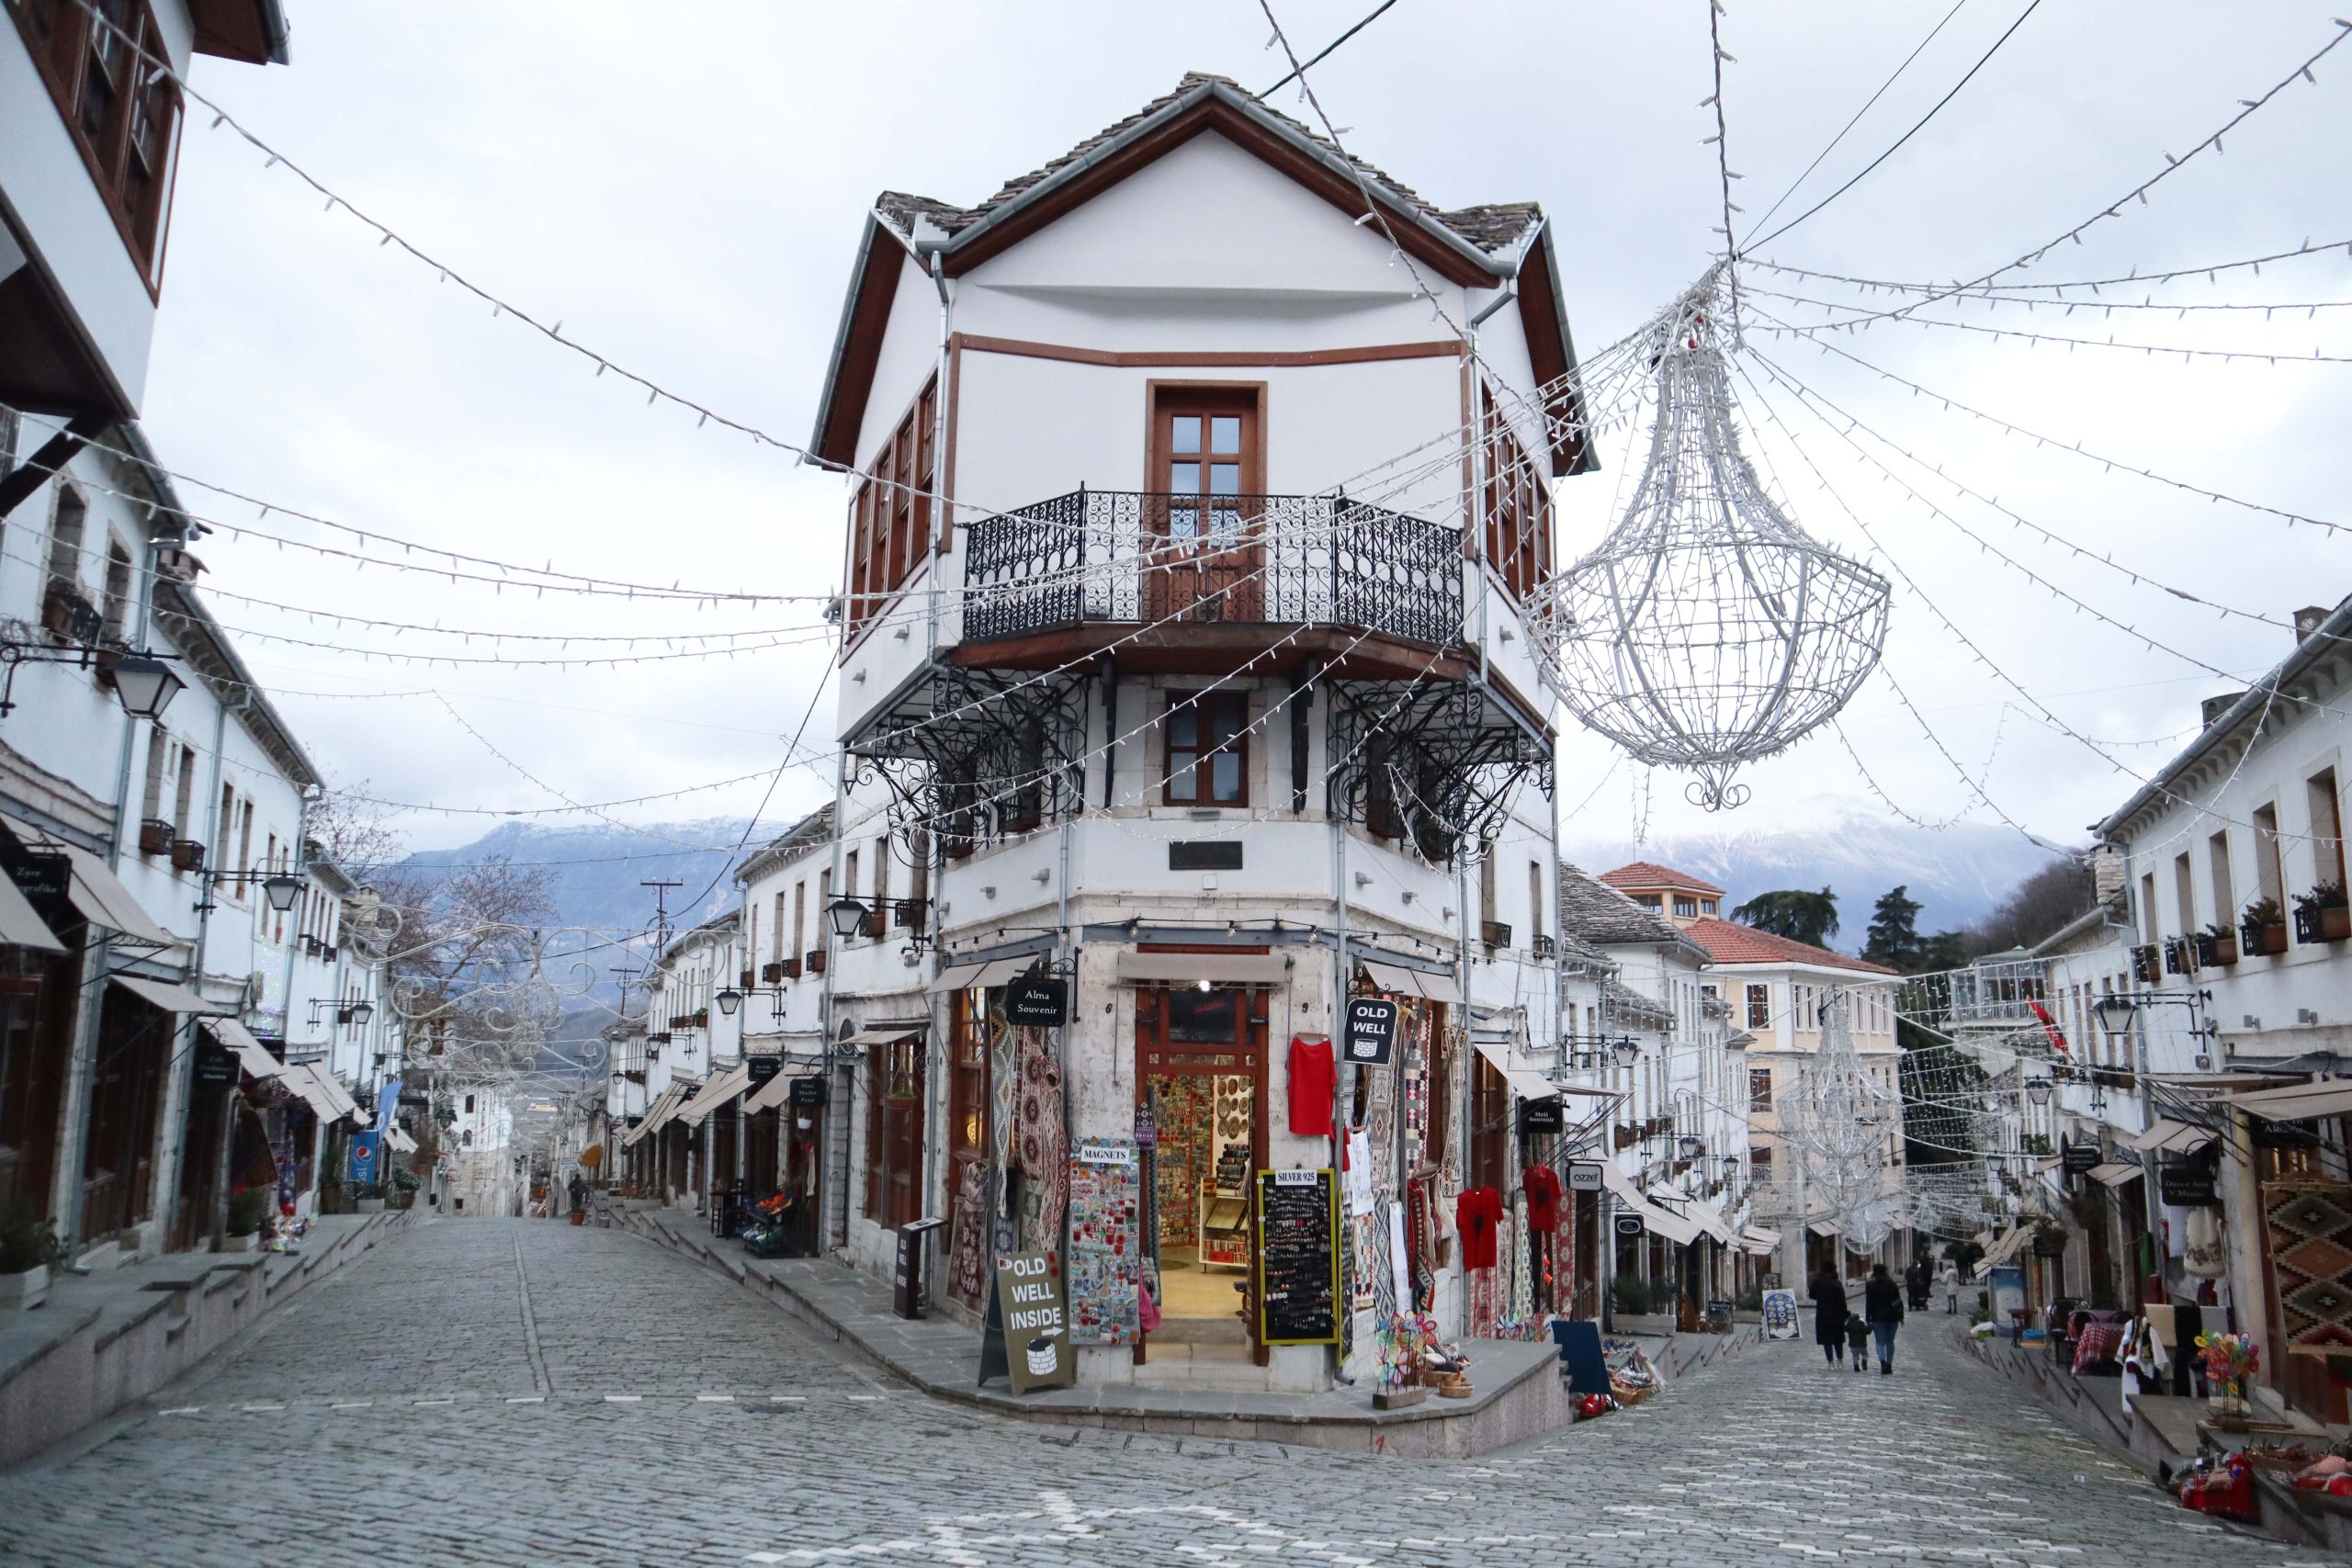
(1847, 845)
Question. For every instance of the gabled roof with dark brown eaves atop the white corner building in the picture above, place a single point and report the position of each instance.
(1485, 246)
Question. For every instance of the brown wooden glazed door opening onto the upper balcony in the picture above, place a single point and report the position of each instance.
(1208, 481)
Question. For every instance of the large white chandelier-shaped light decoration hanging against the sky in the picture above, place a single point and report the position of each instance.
(1709, 631)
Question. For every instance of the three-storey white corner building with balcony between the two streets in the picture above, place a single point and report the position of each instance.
(1187, 659)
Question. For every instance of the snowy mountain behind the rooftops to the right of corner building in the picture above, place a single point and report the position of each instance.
(1850, 847)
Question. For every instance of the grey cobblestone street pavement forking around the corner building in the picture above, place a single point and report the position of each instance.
(528, 1393)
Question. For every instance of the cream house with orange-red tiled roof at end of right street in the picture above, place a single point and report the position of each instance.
(1777, 991)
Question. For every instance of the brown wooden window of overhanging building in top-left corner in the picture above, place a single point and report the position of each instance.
(121, 116)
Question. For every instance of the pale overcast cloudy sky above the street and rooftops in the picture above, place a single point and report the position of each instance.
(683, 189)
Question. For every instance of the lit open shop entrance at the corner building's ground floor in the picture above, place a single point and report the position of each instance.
(1201, 1080)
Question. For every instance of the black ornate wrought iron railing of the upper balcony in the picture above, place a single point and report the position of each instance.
(1283, 561)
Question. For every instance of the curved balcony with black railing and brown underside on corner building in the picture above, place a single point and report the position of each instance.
(1208, 584)
